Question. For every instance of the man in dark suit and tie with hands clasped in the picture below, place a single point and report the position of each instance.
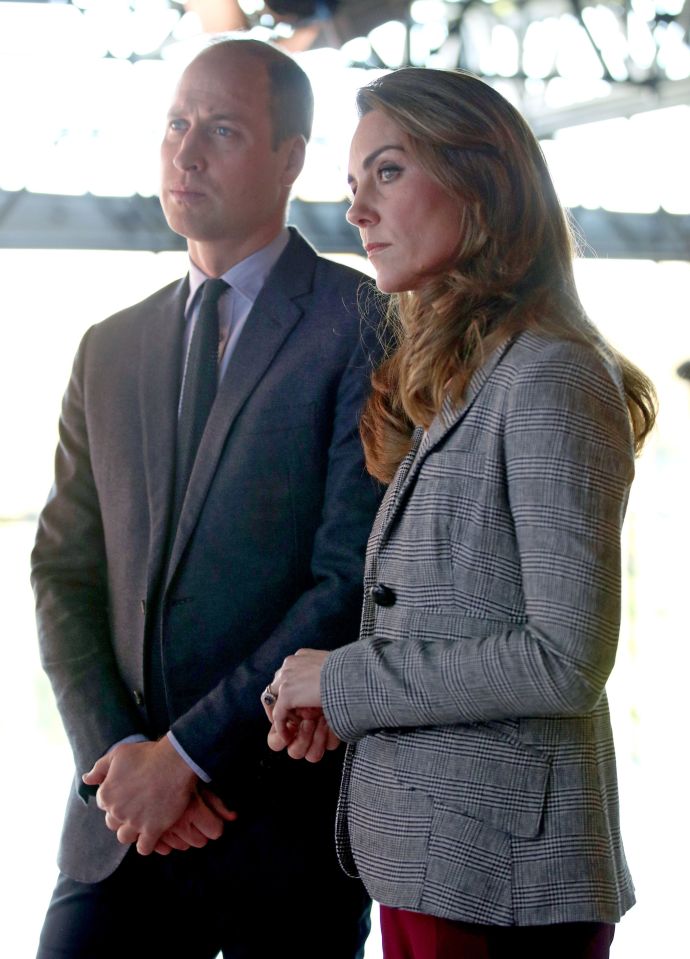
(168, 593)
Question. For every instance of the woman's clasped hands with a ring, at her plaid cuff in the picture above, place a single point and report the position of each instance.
(292, 701)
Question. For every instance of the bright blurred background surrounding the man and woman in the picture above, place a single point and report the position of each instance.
(84, 89)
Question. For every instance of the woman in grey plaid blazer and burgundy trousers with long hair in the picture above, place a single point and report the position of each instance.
(479, 803)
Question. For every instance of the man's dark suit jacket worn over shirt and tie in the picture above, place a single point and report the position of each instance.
(268, 552)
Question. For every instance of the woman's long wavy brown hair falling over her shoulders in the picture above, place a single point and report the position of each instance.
(513, 268)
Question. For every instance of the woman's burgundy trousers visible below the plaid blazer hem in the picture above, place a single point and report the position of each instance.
(413, 935)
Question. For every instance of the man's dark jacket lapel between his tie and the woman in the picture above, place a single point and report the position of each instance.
(273, 316)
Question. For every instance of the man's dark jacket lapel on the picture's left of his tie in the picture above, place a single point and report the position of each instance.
(159, 389)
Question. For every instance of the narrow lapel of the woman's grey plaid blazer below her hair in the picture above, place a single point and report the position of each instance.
(448, 418)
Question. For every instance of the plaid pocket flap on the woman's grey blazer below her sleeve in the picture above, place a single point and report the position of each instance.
(480, 772)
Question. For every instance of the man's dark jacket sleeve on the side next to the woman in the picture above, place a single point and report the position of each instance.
(228, 726)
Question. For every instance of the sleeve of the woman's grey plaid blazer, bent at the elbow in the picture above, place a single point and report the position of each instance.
(568, 464)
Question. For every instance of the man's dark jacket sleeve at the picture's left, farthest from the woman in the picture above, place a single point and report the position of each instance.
(68, 574)
